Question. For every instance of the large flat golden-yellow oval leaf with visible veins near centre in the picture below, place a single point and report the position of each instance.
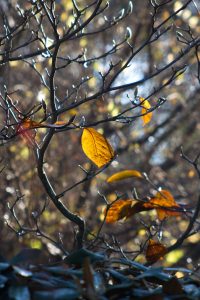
(96, 147)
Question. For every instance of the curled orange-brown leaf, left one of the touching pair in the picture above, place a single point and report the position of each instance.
(123, 209)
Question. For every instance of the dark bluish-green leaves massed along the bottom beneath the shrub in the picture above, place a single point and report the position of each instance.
(88, 275)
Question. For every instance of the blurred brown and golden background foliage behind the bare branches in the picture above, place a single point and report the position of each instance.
(154, 148)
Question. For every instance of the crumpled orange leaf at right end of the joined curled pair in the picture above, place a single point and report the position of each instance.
(161, 202)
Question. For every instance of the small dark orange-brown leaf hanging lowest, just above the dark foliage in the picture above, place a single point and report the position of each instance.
(155, 251)
